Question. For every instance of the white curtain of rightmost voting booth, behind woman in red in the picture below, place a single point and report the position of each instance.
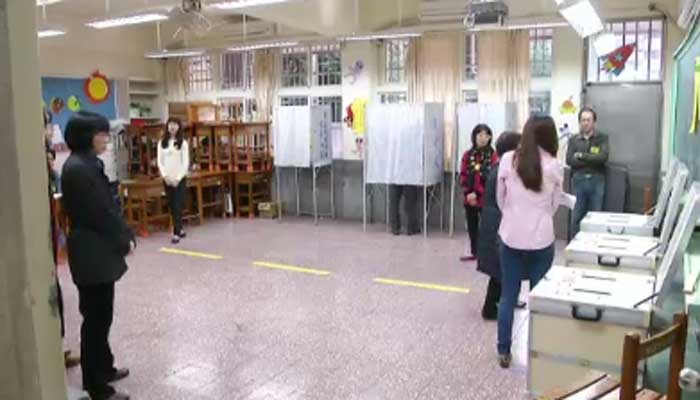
(499, 117)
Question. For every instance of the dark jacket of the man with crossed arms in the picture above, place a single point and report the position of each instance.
(594, 153)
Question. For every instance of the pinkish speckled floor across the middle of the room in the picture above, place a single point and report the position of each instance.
(193, 328)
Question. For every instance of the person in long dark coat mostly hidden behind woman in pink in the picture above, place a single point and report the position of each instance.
(488, 260)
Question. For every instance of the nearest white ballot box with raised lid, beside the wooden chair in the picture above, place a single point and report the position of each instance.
(579, 317)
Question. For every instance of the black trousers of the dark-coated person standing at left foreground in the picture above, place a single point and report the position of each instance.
(96, 359)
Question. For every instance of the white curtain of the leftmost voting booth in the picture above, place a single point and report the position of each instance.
(302, 136)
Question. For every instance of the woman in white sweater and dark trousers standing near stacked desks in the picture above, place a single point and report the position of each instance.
(174, 164)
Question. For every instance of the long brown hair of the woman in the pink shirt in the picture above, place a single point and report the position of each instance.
(539, 132)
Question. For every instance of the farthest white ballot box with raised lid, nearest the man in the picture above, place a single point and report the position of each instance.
(636, 224)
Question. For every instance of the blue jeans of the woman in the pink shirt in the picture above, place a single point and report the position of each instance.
(515, 266)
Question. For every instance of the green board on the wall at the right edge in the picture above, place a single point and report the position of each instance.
(685, 144)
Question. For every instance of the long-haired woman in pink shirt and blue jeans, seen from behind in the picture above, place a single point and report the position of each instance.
(528, 190)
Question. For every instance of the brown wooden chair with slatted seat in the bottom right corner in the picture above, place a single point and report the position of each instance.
(600, 386)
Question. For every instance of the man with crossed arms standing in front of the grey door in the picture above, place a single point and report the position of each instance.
(587, 155)
